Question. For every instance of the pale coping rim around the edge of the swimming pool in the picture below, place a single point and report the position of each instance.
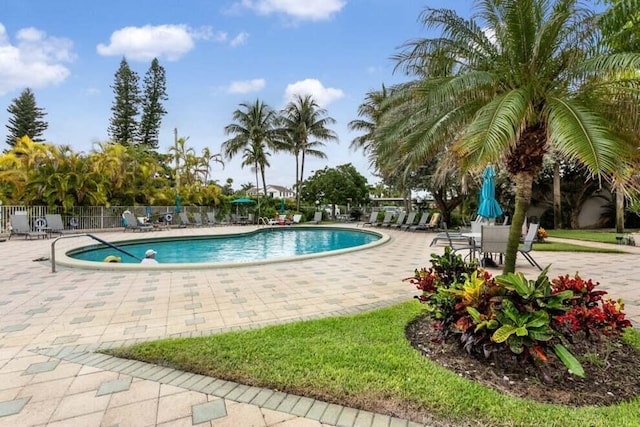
(63, 260)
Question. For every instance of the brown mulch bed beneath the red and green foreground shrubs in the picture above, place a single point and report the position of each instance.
(612, 370)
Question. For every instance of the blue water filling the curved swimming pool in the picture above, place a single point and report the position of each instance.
(261, 245)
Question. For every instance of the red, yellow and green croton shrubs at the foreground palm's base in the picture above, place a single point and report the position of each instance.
(510, 316)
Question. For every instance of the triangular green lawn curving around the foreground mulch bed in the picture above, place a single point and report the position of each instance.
(364, 361)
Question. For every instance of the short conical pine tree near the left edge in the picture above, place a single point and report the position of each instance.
(26, 118)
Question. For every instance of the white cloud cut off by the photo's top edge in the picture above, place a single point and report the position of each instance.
(299, 9)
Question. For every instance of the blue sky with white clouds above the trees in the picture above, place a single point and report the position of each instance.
(216, 54)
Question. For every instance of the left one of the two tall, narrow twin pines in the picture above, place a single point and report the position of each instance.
(123, 125)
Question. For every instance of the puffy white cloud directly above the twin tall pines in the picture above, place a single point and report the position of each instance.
(162, 41)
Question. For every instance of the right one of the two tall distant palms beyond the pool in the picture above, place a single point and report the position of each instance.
(304, 125)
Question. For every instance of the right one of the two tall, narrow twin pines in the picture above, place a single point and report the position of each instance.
(152, 110)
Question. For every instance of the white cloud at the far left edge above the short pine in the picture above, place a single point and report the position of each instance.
(36, 60)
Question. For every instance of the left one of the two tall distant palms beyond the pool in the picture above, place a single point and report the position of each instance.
(254, 131)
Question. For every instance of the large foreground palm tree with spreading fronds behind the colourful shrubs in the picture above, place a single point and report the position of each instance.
(522, 77)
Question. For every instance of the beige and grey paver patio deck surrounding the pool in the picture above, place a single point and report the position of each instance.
(51, 324)
